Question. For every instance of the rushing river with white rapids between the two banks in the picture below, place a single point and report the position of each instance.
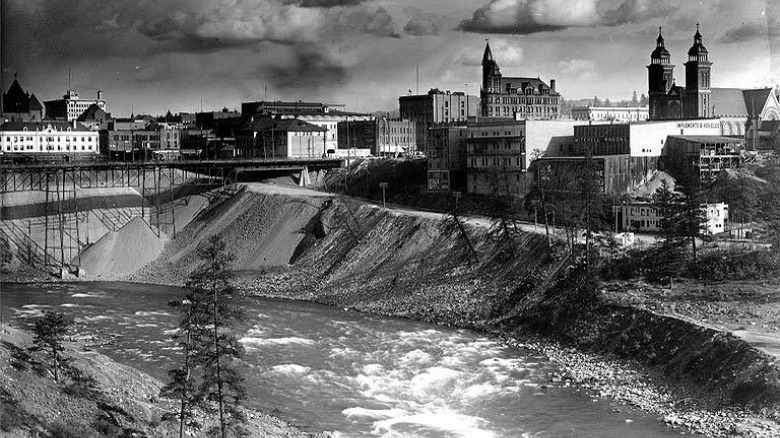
(325, 369)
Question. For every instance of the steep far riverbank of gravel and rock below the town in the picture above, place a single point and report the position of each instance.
(301, 245)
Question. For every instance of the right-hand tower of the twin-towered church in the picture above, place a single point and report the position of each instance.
(697, 80)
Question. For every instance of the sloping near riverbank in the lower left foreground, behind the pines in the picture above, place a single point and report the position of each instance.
(95, 397)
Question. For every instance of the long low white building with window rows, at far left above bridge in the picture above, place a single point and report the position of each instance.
(48, 137)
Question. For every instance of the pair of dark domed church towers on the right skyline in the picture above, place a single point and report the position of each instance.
(671, 101)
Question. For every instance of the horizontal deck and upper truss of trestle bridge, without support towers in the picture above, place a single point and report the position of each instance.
(90, 174)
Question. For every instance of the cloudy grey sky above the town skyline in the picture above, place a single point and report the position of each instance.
(155, 55)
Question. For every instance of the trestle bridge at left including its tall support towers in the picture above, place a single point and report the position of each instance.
(50, 233)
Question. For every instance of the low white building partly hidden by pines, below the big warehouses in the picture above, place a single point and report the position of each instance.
(644, 216)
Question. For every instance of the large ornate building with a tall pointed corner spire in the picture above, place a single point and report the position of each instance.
(520, 97)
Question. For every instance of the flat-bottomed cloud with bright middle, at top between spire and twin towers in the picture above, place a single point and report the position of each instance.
(524, 17)
